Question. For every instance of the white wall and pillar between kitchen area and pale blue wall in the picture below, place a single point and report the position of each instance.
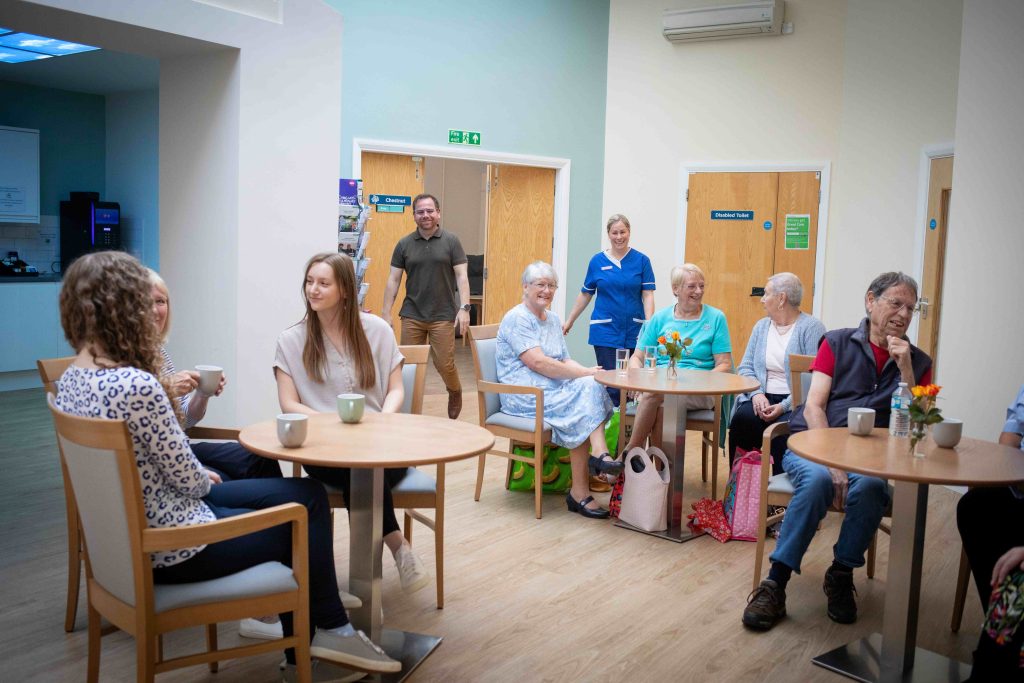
(250, 137)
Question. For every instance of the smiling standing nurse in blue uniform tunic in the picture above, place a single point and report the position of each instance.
(624, 282)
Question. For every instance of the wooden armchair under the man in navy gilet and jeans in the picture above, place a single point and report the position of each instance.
(777, 491)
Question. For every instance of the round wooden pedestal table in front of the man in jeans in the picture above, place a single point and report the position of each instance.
(893, 656)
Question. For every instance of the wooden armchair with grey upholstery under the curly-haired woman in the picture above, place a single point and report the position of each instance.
(99, 456)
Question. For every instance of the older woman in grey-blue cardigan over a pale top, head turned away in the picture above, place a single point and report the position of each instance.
(785, 331)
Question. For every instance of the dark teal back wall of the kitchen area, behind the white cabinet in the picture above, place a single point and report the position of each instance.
(71, 139)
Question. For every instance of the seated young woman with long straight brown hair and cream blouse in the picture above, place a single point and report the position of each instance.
(336, 349)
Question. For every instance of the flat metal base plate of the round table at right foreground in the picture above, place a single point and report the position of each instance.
(862, 662)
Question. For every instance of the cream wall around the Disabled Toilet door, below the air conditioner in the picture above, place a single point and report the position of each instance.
(864, 86)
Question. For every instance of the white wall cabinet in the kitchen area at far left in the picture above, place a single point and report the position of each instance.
(19, 176)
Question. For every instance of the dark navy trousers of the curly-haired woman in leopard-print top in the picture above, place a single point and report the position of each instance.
(227, 558)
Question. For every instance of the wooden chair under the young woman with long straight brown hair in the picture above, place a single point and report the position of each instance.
(417, 491)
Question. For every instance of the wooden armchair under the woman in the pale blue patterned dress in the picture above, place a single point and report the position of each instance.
(533, 434)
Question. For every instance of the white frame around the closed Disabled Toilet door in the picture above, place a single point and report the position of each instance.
(823, 167)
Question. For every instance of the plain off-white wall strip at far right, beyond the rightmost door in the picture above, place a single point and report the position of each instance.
(983, 327)
